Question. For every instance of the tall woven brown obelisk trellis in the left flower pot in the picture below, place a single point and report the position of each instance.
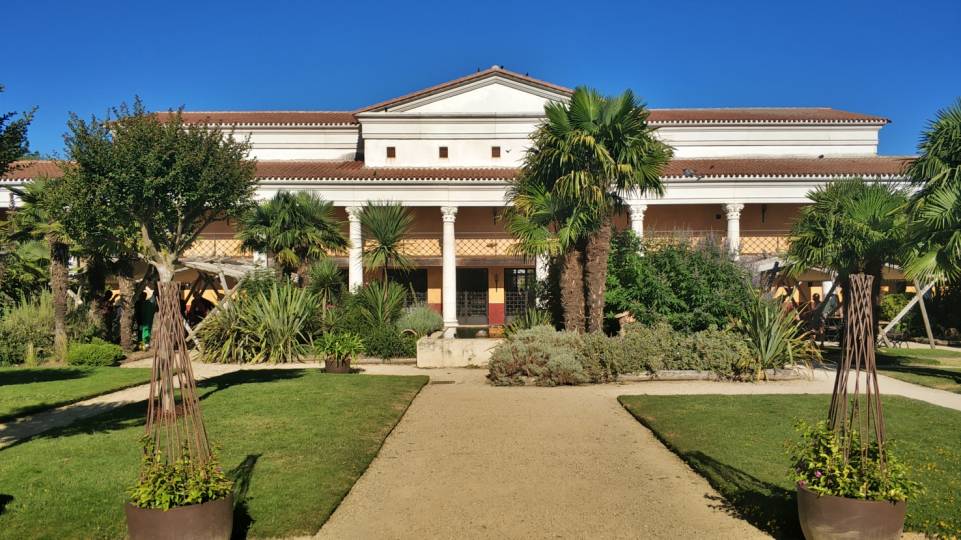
(174, 420)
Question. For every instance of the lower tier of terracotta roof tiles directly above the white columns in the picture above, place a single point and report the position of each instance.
(884, 166)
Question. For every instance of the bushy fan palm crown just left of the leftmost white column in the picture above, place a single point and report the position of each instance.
(293, 229)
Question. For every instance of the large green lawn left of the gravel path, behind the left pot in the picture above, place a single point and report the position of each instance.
(297, 439)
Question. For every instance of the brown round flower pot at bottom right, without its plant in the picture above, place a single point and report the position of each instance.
(825, 517)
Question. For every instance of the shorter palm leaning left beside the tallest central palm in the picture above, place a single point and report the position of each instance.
(545, 224)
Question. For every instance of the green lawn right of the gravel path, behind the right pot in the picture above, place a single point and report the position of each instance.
(739, 444)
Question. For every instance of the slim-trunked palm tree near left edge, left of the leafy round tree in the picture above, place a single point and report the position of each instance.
(34, 221)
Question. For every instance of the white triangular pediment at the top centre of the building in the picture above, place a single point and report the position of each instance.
(494, 91)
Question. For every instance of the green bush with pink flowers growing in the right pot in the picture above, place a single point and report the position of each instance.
(821, 467)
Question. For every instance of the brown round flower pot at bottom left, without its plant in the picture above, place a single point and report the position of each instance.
(212, 520)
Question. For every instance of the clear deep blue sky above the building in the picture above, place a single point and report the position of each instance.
(895, 58)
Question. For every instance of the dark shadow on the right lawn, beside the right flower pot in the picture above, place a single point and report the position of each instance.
(767, 506)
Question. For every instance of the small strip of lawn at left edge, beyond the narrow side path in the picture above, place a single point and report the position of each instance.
(25, 390)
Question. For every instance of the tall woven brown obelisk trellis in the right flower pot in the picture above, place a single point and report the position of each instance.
(857, 413)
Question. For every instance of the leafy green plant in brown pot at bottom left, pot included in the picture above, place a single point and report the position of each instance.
(182, 499)
